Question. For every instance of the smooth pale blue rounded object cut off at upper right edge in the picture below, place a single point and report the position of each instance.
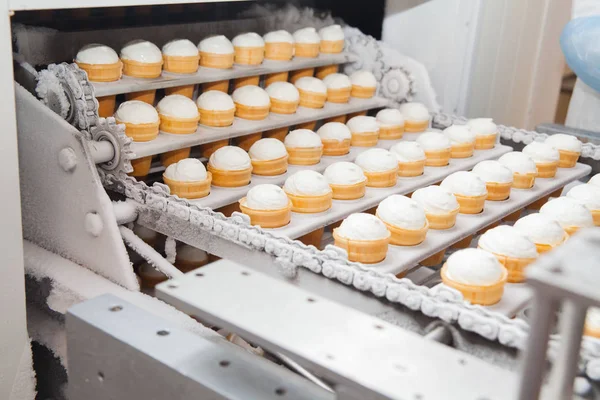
(580, 42)
